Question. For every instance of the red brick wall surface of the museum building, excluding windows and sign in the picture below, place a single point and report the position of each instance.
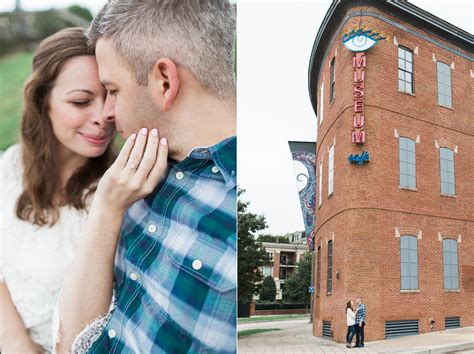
(368, 205)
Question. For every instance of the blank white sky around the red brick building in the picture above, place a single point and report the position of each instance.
(274, 46)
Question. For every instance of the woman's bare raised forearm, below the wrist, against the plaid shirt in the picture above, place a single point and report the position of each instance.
(87, 289)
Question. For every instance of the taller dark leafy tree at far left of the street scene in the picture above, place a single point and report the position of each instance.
(251, 254)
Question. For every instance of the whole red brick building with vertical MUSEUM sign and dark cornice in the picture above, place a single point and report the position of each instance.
(397, 230)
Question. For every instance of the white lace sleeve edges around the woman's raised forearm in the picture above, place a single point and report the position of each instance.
(86, 338)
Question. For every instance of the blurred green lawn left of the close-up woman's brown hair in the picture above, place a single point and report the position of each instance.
(14, 70)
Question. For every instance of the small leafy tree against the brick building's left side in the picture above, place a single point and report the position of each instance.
(297, 284)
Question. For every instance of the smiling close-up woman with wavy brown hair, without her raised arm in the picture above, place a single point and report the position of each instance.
(46, 185)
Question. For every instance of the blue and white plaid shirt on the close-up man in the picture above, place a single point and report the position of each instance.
(175, 268)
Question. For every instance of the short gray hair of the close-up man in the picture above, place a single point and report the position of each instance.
(198, 34)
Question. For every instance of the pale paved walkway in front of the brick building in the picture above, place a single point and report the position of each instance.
(295, 336)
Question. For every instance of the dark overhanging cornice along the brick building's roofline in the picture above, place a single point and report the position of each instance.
(405, 11)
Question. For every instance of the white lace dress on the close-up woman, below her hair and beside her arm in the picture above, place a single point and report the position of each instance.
(33, 260)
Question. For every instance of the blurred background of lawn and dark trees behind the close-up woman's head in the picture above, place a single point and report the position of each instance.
(20, 33)
